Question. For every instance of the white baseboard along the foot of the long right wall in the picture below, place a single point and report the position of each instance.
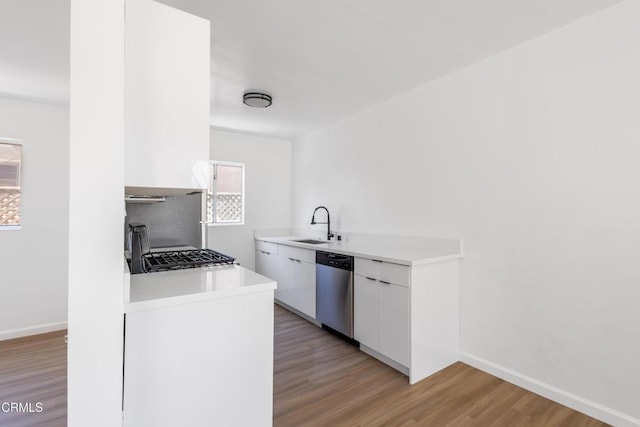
(580, 404)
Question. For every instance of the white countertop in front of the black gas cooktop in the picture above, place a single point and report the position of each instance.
(167, 288)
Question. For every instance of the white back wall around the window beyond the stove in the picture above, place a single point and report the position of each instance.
(267, 190)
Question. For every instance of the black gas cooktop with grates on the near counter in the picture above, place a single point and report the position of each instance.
(178, 260)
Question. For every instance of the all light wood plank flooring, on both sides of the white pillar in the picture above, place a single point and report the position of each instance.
(319, 380)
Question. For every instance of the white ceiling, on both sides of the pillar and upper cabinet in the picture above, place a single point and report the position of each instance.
(322, 60)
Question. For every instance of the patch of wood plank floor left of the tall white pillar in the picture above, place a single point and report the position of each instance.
(34, 369)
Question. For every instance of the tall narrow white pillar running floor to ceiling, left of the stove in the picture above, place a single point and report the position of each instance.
(96, 212)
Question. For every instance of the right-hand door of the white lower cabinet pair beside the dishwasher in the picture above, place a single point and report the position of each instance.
(394, 322)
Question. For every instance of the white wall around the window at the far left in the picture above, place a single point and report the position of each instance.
(33, 259)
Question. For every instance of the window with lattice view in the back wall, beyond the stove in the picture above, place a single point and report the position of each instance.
(225, 198)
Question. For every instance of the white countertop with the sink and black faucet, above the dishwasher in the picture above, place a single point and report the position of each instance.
(398, 250)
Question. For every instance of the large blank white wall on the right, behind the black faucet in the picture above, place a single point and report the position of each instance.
(531, 157)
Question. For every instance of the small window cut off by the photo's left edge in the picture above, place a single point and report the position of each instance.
(10, 165)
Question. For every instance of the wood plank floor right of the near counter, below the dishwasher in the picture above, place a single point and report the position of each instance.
(320, 380)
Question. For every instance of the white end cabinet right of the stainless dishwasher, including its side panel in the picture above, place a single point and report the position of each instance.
(407, 316)
